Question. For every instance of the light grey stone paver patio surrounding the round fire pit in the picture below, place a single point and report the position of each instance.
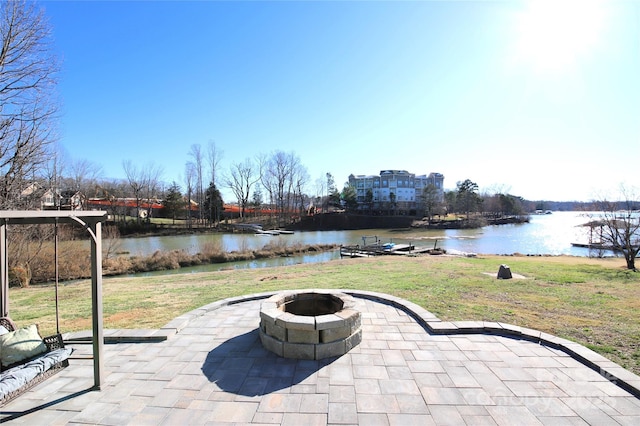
(409, 369)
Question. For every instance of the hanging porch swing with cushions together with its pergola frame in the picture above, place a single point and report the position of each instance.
(16, 381)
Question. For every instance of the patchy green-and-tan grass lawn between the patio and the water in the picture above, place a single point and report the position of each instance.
(595, 302)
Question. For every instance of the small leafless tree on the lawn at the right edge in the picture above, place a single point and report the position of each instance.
(618, 224)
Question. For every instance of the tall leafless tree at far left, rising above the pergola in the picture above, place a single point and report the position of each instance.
(27, 86)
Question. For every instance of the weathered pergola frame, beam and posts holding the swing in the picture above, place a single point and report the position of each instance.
(91, 221)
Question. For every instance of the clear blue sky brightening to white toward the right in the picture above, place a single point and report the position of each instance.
(538, 99)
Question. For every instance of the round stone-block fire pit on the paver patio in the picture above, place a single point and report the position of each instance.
(309, 324)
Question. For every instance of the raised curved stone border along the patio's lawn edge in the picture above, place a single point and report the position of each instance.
(616, 374)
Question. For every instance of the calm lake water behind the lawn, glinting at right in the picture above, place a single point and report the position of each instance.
(545, 234)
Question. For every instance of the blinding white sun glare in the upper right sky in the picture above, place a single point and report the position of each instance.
(553, 36)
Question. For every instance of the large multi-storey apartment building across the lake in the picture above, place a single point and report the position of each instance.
(394, 189)
